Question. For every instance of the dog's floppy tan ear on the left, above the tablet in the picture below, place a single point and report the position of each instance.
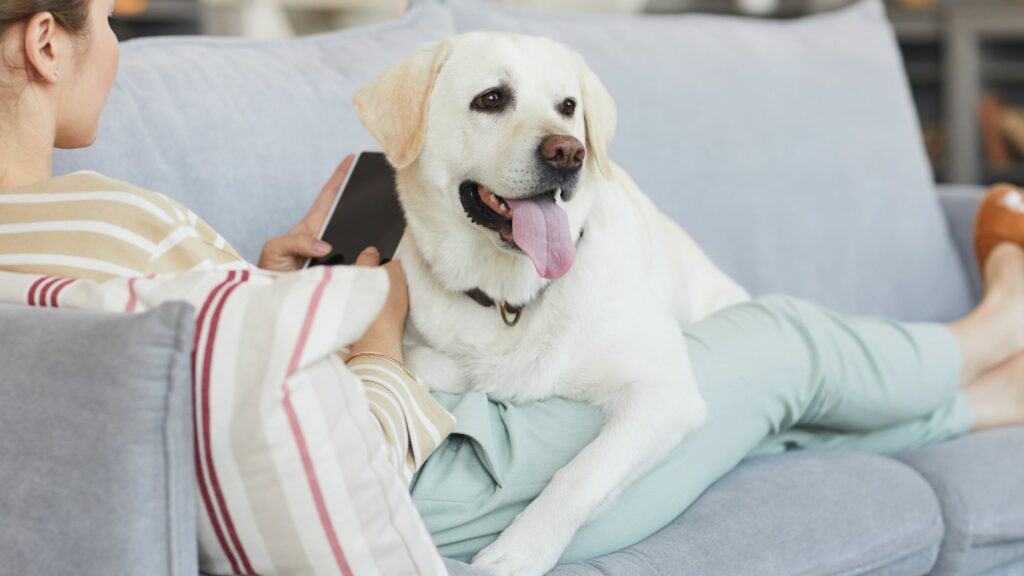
(394, 107)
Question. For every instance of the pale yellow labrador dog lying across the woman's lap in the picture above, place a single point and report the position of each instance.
(537, 268)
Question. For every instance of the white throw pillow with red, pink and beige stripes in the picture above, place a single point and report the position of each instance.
(294, 474)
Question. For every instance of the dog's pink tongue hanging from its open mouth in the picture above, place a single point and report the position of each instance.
(541, 229)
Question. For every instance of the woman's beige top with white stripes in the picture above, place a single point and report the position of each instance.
(89, 226)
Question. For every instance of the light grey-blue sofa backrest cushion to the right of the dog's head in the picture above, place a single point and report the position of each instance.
(790, 150)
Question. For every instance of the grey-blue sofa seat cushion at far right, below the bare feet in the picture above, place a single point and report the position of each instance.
(979, 480)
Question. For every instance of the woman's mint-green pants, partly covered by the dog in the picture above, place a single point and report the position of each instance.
(778, 375)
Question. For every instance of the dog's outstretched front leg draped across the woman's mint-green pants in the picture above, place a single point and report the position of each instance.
(646, 422)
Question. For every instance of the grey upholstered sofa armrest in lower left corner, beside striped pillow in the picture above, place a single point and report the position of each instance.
(97, 461)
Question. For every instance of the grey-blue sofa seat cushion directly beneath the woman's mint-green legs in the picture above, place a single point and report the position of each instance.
(808, 513)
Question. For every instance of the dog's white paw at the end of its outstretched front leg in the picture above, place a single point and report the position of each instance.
(522, 552)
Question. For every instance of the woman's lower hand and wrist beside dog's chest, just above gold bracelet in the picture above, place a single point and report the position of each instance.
(385, 336)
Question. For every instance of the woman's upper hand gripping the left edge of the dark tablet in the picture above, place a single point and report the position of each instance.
(290, 252)
